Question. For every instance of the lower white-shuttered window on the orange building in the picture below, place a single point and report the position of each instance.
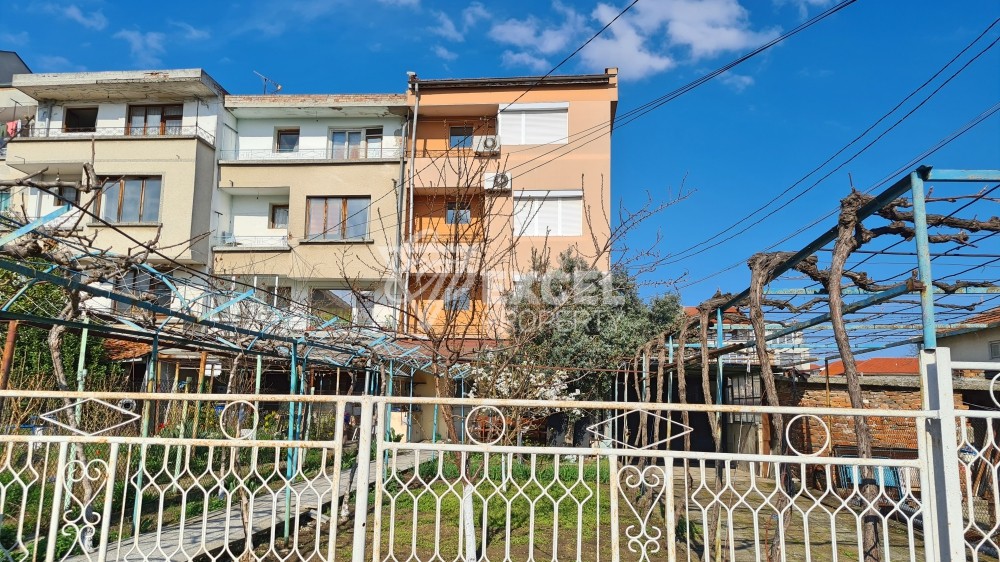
(552, 214)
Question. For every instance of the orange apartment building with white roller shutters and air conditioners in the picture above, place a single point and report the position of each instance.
(501, 169)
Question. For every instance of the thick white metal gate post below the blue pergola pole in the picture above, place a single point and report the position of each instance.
(943, 507)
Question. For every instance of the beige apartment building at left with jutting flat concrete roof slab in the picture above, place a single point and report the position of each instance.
(152, 138)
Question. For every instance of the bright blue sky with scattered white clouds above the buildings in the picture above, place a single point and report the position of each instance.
(734, 143)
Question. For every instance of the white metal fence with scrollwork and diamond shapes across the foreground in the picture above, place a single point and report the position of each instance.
(98, 490)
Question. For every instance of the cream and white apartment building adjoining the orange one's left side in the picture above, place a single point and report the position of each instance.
(308, 200)
